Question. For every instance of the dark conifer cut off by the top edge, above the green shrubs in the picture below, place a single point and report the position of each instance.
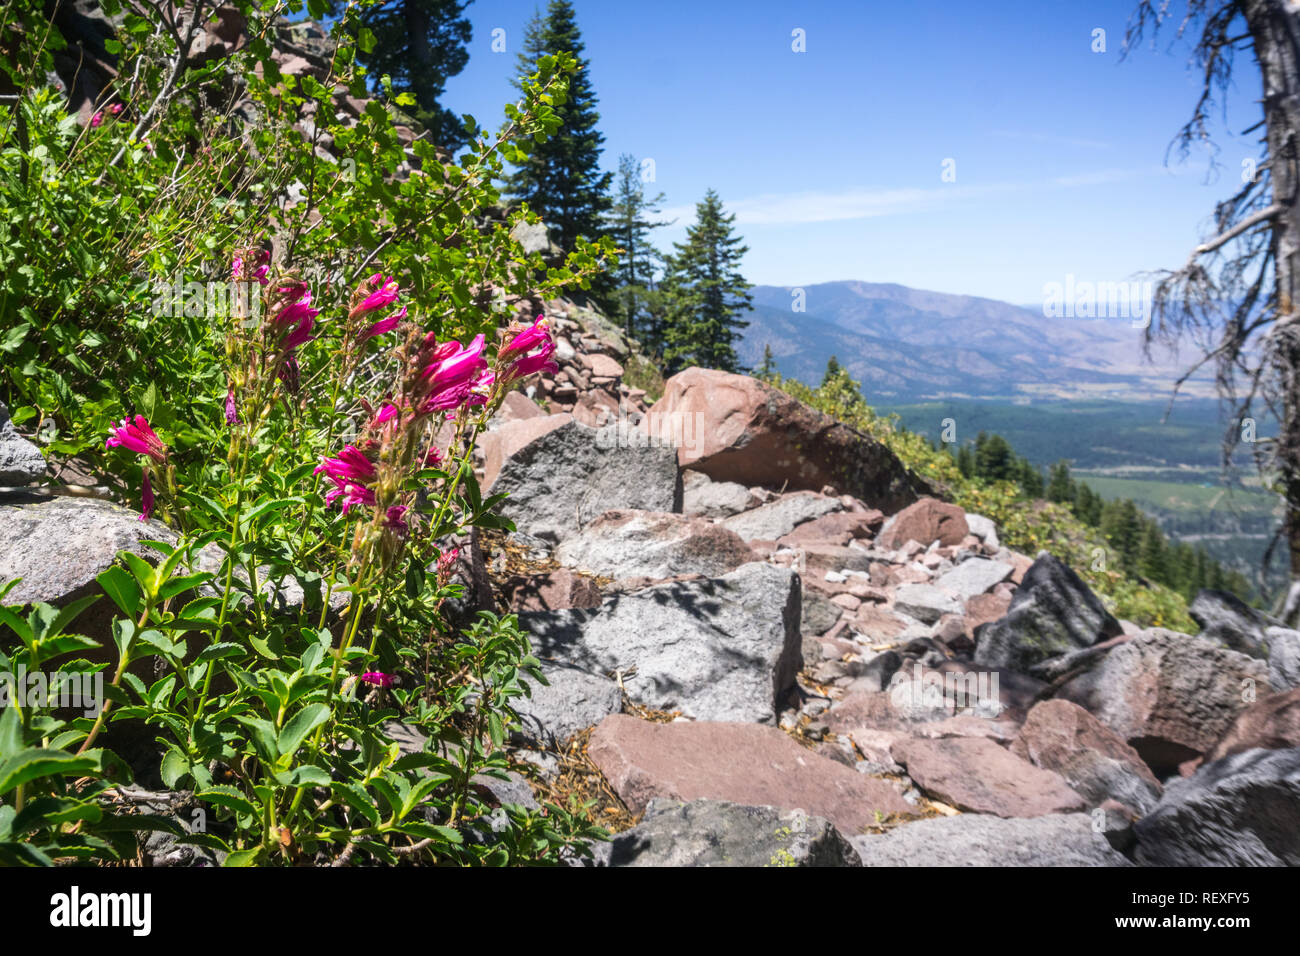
(421, 45)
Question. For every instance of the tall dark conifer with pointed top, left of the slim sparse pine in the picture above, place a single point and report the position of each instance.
(561, 180)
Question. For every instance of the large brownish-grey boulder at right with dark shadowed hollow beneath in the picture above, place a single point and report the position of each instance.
(1172, 697)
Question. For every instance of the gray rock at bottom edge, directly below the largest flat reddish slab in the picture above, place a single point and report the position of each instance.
(716, 833)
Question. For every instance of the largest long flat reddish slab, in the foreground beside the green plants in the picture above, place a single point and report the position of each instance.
(743, 763)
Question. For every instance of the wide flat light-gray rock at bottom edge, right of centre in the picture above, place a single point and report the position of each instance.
(1060, 840)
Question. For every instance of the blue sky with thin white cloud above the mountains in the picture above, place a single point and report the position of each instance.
(834, 158)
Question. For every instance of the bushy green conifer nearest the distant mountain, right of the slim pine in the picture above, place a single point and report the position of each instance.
(705, 292)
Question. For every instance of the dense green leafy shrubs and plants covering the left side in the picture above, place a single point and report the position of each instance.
(261, 712)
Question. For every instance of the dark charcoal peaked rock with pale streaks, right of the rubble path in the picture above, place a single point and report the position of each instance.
(1052, 613)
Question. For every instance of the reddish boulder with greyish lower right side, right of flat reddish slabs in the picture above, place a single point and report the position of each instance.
(1093, 759)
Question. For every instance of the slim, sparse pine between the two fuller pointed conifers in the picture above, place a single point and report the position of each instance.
(630, 226)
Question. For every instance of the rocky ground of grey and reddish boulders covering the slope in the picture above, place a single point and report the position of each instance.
(779, 647)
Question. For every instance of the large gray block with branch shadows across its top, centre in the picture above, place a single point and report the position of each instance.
(718, 650)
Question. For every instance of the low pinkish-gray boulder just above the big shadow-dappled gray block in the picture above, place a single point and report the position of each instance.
(655, 544)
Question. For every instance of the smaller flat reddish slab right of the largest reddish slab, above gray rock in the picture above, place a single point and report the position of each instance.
(978, 776)
